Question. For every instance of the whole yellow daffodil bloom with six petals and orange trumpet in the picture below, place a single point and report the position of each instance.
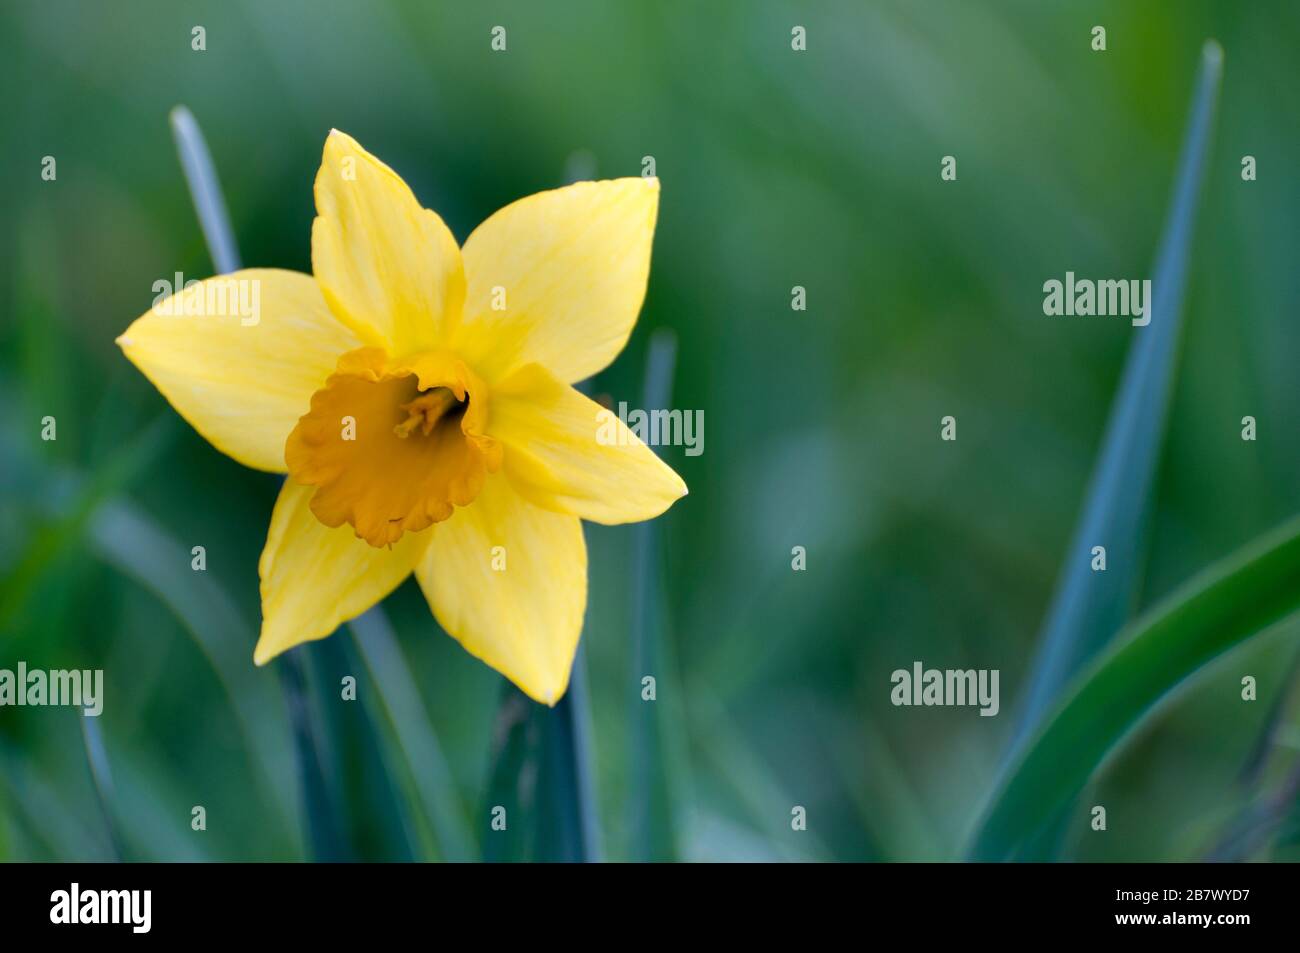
(421, 393)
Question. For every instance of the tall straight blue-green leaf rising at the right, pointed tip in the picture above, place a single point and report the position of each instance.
(1090, 607)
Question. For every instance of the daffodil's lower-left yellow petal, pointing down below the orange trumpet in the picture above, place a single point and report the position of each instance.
(314, 579)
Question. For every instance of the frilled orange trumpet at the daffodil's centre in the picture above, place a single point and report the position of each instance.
(393, 448)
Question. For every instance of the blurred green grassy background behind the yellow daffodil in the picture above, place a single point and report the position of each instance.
(779, 168)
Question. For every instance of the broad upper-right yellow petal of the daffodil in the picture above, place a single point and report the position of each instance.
(566, 271)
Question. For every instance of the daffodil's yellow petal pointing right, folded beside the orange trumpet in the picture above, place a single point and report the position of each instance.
(567, 453)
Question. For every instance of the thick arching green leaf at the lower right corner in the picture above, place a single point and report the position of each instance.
(1223, 608)
